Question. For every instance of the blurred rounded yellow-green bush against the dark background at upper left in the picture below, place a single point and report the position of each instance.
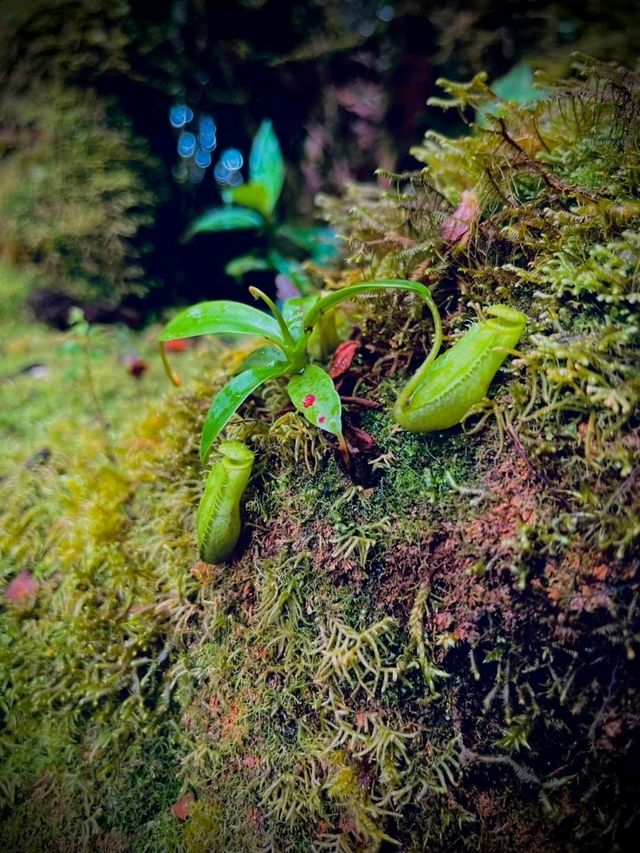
(77, 196)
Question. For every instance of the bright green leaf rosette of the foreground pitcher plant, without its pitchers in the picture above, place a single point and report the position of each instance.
(310, 388)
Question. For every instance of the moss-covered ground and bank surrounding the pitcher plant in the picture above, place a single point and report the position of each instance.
(433, 651)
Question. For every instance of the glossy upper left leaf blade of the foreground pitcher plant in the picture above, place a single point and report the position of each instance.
(222, 317)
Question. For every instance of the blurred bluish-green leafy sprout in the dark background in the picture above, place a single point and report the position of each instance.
(251, 206)
